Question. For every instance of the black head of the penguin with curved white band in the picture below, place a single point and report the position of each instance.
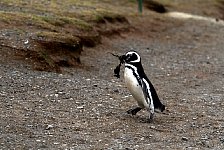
(131, 57)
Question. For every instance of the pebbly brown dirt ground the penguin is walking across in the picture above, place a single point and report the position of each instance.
(85, 107)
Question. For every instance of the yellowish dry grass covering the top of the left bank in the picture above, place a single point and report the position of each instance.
(66, 17)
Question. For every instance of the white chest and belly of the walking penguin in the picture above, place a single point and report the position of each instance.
(134, 87)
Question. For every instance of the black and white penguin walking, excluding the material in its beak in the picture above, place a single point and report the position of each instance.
(139, 85)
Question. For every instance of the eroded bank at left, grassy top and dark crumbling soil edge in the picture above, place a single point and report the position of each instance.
(35, 26)
